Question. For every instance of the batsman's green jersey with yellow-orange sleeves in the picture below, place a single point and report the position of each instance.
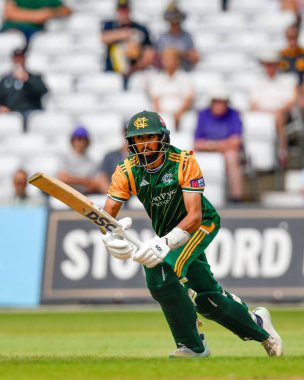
(161, 192)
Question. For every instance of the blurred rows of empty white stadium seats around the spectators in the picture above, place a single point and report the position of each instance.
(69, 54)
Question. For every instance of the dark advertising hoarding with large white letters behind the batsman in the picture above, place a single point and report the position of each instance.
(258, 255)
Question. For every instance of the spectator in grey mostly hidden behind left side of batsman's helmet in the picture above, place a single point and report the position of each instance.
(108, 165)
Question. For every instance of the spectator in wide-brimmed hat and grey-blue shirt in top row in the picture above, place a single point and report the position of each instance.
(177, 37)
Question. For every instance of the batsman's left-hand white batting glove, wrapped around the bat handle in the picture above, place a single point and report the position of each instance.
(119, 247)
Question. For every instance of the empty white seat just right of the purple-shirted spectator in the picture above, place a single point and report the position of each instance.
(260, 140)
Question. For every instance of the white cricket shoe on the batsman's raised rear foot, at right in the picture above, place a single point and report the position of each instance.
(273, 345)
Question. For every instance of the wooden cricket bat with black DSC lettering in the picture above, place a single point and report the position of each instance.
(80, 203)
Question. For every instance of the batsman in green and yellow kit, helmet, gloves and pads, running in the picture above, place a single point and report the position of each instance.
(169, 183)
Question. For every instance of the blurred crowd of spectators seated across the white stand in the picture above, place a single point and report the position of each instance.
(165, 65)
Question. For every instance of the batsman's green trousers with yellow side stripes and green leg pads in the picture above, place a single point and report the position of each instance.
(187, 268)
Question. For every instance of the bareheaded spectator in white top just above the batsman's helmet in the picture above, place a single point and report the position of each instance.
(171, 89)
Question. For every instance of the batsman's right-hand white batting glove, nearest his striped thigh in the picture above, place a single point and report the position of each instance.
(152, 252)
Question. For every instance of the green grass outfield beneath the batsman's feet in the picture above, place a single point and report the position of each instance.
(134, 344)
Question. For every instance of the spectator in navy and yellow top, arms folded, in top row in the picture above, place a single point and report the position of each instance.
(129, 47)
